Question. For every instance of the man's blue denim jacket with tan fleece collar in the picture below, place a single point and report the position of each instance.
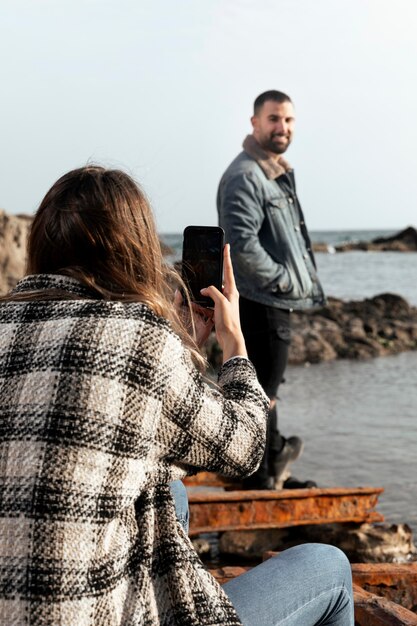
(262, 218)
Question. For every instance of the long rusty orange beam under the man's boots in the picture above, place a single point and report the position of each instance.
(212, 511)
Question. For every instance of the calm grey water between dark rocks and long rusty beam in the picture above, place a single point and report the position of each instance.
(358, 420)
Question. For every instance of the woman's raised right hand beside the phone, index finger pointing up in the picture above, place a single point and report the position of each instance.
(226, 312)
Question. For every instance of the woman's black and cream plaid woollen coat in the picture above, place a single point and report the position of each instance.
(100, 408)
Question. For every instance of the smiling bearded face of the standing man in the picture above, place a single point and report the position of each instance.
(273, 126)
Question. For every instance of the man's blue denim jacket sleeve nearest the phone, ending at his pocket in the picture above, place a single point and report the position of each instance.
(241, 214)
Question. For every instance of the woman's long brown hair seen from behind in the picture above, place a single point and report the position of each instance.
(96, 225)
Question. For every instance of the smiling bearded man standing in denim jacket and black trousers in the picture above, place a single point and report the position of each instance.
(273, 262)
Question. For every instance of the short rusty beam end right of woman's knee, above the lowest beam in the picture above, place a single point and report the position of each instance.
(396, 582)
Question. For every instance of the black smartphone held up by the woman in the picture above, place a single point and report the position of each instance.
(202, 261)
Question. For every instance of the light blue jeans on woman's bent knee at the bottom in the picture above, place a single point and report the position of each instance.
(307, 585)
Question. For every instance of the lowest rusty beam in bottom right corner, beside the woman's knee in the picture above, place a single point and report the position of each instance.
(373, 610)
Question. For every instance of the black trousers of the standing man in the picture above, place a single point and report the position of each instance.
(267, 335)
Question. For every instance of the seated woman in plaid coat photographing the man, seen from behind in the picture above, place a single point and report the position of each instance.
(102, 407)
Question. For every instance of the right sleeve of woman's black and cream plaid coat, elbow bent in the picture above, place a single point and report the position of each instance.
(217, 429)
